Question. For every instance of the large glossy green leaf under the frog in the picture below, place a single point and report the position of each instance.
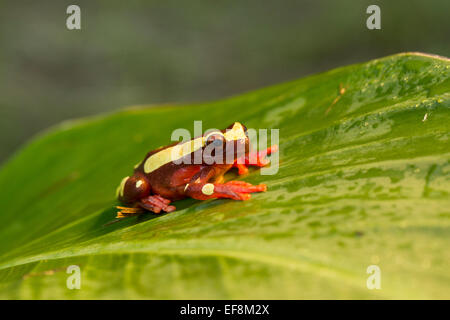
(363, 180)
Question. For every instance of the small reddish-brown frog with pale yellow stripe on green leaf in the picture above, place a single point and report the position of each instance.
(170, 173)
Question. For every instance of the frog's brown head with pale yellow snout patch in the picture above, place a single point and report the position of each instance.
(228, 144)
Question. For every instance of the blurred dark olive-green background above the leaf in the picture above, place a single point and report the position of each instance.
(151, 52)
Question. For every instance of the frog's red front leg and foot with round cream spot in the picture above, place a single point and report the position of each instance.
(237, 190)
